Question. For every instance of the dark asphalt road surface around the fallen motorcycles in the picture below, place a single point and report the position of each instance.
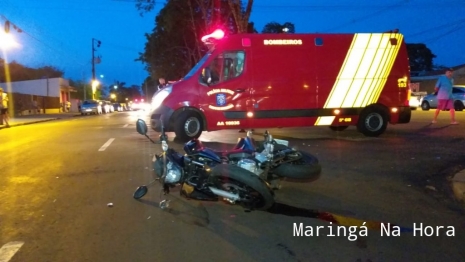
(58, 178)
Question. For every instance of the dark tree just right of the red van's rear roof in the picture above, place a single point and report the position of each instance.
(420, 57)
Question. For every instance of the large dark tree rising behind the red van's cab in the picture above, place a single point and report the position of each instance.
(174, 45)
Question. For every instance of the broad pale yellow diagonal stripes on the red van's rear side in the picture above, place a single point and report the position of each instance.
(364, 72)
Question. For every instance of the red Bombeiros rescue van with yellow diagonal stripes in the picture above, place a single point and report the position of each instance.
(290, 80)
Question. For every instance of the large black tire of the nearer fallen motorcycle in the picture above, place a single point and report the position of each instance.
(255, 192)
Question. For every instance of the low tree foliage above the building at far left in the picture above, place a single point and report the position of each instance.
(14, 71)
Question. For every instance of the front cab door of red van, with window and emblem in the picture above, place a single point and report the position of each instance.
(226, 94)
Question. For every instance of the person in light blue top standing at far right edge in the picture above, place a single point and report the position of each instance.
(444, 95)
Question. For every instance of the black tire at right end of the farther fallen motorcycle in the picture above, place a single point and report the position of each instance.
(306, 167)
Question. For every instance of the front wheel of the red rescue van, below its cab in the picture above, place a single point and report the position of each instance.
(188, 125)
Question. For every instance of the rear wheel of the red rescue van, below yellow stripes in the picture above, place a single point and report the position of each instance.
(372, 122)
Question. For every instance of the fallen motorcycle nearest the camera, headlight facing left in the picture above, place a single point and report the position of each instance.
(199, 180)
